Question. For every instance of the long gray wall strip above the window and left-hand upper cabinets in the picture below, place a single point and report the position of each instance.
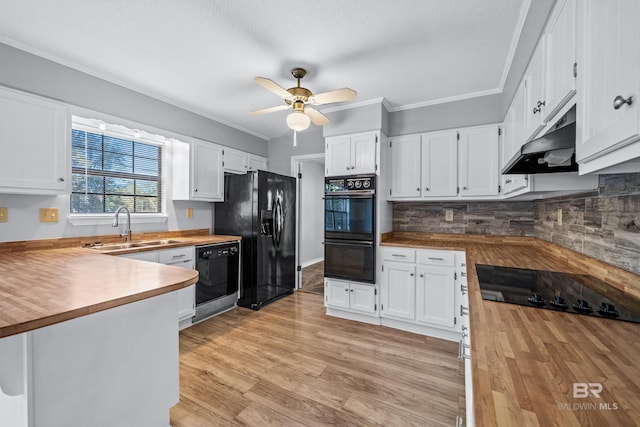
(31, 73)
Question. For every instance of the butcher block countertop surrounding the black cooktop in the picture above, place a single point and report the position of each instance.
(525, 360)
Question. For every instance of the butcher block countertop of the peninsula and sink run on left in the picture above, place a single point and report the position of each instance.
(43, 282)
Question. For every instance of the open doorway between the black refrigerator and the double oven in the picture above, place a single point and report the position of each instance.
(309, 172)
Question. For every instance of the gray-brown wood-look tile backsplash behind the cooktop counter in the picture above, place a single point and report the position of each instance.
(604, 224)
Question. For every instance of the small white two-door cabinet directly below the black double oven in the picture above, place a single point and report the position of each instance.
(351, 300)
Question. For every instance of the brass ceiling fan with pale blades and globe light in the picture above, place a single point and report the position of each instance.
(299, 99)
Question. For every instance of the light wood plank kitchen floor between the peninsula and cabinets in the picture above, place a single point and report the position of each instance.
(291, 365)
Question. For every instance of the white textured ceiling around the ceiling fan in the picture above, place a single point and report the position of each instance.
(202, 55)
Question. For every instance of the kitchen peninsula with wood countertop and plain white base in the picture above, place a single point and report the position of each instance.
(87, 337)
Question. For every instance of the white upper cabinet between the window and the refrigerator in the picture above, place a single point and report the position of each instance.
(197, 171)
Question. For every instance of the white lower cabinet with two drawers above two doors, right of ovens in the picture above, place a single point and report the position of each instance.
(420, 291)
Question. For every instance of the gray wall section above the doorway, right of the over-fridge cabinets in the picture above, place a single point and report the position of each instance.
(281, 149)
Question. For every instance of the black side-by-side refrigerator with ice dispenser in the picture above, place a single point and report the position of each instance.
(260, 206)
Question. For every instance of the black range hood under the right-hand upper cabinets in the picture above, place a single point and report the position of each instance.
(552, 152)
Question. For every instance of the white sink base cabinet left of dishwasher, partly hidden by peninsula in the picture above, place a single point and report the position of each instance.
(179, 257)
